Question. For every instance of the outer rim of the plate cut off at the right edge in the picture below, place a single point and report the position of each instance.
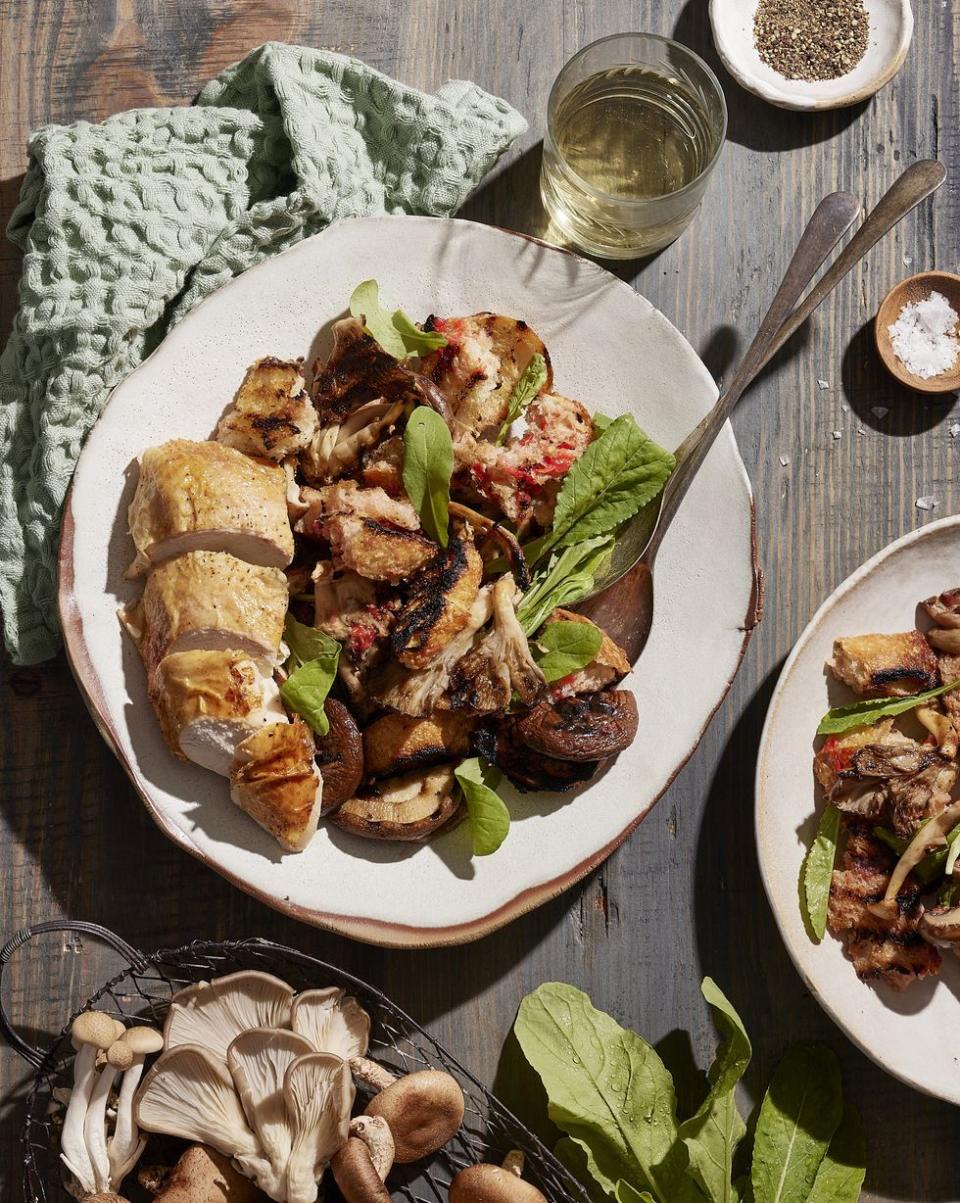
(761, 809)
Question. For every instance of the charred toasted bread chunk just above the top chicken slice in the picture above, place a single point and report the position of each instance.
(272, 414)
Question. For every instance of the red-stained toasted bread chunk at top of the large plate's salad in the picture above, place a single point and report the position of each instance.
(478, 370)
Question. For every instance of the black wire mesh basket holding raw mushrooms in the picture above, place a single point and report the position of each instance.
(143, 993)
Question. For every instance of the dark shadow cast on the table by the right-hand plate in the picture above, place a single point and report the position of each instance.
(740, 947)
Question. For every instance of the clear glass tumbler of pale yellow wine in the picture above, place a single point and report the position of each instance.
(636, 126)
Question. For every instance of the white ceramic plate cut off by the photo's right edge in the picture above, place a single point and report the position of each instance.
(915, 1035)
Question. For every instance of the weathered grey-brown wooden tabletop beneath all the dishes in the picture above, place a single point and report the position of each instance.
(683, 898)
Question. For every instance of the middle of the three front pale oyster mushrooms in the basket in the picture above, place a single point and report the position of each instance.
(258, 1062)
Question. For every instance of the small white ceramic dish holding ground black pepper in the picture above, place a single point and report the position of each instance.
(891, 32)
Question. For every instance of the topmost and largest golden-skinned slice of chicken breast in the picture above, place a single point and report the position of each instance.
(209, 497)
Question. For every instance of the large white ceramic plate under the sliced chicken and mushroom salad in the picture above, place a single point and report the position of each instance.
(612, 349)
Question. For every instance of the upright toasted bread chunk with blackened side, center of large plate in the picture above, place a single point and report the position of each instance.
(440, 605)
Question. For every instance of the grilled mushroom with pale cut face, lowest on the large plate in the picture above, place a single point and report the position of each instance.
(412, 807)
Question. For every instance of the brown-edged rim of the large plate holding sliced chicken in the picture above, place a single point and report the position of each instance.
(378, 932)
